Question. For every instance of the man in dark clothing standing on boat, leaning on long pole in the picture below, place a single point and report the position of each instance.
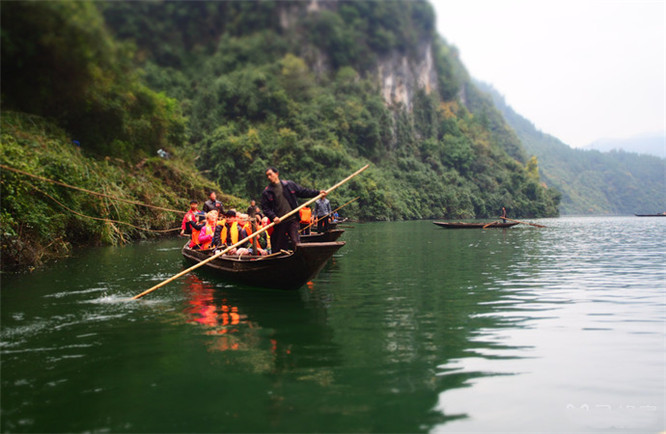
(279, 198)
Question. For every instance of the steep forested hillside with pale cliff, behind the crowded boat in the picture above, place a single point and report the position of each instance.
(317, 87)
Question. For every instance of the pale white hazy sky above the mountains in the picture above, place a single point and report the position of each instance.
(580, 70)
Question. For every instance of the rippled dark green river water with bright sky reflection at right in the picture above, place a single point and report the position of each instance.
(409, 328)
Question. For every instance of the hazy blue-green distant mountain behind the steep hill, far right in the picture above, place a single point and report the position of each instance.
(591, 182)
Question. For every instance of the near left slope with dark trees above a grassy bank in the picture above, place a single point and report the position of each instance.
(76, 111)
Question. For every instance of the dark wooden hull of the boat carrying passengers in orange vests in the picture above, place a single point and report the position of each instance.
(283, 270)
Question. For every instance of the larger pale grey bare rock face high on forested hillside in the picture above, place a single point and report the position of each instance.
(401, 76)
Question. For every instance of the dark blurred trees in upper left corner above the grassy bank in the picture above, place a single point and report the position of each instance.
(59, 61)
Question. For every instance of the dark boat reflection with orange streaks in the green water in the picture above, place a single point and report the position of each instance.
(276, 331)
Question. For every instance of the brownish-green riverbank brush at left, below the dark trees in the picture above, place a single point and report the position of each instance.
(42, 220)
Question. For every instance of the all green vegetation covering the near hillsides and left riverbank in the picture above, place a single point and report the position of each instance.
(229, 88)
